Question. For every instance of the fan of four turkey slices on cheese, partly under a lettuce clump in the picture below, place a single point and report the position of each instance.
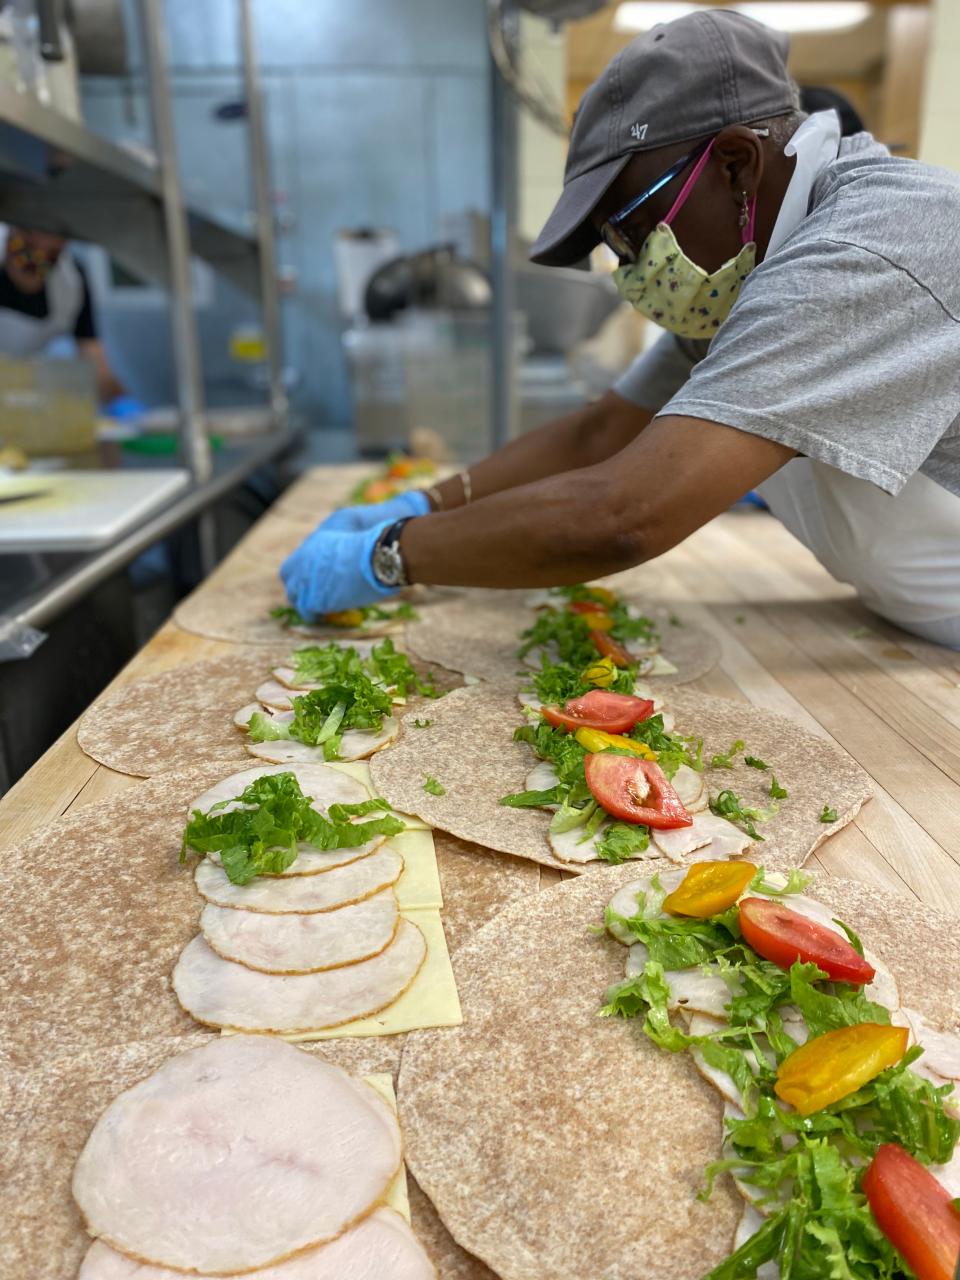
(321, 945)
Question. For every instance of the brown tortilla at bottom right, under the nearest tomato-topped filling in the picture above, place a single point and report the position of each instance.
(496, 1114)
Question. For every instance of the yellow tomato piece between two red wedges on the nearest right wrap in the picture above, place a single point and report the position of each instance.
(838, 1063)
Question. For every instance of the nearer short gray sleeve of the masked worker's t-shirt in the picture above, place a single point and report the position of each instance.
(839, 354)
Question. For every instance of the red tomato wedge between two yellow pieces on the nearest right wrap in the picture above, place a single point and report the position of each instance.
(784, 936)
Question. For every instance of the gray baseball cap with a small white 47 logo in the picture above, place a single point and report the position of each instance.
(680, 81)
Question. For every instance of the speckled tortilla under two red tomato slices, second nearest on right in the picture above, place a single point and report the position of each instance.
(469, 748)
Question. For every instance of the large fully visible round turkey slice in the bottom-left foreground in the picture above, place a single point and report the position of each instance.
(236, 1156)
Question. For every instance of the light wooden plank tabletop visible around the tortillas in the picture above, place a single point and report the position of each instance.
(793, 639)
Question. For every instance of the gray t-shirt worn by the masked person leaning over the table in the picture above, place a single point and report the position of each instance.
(845, 344)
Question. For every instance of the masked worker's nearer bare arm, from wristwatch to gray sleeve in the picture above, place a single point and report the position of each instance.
(623, 511)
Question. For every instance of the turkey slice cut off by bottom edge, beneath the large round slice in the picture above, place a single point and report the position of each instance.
(382, 1247)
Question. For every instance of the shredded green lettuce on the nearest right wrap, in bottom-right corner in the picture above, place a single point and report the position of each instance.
(806, 1171)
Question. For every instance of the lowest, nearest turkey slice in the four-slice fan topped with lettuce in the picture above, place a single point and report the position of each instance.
(222, 994)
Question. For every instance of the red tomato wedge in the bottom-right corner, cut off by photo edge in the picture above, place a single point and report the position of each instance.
(915, 1213)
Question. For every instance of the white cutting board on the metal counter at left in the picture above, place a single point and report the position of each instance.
(83, 510)
